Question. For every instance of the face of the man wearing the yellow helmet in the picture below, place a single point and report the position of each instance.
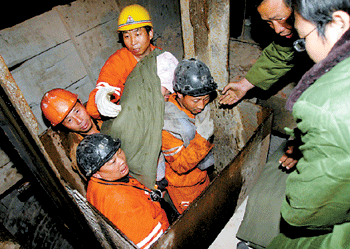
(138, 42)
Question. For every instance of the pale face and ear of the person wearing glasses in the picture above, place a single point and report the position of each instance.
(316, 46)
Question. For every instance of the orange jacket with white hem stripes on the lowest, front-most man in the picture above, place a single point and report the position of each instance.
(129, 208)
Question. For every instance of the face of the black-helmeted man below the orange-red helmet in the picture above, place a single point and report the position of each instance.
(115, 169)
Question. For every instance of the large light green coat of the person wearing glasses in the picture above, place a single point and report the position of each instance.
(318, 192)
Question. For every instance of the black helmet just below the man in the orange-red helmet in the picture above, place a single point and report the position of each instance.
(94, 151)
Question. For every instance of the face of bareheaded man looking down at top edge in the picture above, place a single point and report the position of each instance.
(277, 14)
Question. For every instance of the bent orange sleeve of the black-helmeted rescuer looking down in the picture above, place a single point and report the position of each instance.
(183, 159)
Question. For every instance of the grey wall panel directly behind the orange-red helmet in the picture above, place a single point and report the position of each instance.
(58, 67)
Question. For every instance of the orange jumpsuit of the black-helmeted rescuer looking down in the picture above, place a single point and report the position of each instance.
(186, 181)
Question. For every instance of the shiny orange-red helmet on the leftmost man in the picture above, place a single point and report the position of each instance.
(57, 103)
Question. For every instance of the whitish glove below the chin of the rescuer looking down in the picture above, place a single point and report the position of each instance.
(205, 124)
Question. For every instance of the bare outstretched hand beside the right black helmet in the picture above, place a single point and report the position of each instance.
(234, 91)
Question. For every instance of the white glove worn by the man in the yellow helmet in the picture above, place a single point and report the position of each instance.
(103, 100)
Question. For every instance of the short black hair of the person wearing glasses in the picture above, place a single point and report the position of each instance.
(319, 12)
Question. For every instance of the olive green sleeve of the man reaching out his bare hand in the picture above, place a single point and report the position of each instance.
(274, 62)
